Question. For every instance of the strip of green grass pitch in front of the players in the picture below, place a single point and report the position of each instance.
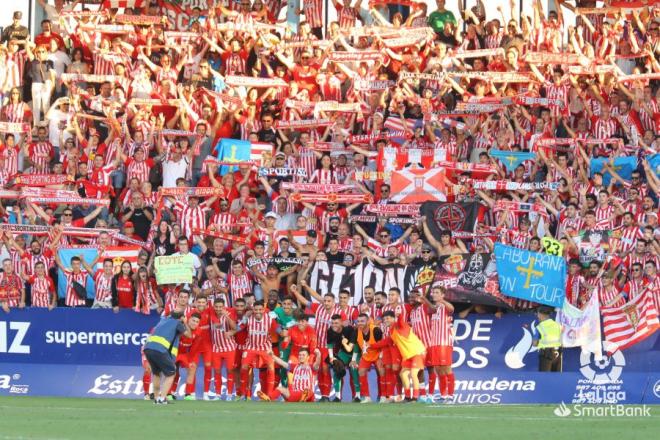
(96, 419)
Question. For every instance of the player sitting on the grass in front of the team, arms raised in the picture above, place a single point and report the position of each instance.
(301, 379)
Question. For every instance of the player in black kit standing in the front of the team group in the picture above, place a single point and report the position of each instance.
(341, 344)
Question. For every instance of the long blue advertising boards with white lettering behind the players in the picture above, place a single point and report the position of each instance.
(96, 353)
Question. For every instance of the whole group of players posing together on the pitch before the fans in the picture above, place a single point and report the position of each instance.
(303, 341)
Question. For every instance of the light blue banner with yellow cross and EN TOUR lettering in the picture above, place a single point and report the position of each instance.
(531, 276)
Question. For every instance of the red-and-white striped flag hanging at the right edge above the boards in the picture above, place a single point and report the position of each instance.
(631, 323)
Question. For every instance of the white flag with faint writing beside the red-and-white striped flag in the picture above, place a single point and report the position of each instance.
(581, 328)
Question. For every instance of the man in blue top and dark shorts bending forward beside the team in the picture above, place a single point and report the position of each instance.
(162, 347)
